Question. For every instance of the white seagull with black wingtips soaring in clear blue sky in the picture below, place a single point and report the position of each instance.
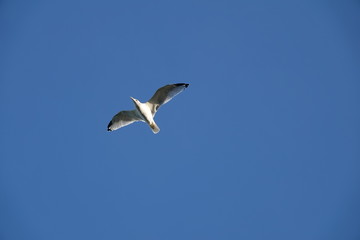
(145, 112)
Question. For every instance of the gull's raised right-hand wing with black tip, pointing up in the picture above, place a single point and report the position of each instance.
(165, 94)
